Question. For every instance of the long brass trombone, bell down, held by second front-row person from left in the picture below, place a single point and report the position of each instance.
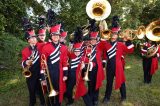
(45, 67)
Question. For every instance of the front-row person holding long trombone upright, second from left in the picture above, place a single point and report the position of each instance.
(56, 56)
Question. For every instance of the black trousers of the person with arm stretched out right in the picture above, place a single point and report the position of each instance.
(110, 77)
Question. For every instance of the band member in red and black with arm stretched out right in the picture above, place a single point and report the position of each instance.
(114, 51)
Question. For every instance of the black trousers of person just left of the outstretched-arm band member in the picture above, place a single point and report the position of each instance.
(93, 93)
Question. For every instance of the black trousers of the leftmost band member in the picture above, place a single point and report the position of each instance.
(34, 88)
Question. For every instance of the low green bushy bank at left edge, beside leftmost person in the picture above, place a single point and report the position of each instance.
(10, 52)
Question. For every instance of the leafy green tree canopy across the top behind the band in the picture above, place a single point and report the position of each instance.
(72, 13)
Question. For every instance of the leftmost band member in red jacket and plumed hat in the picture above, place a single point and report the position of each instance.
(30, 58)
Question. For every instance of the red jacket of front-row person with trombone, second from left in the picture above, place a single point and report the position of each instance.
(49, 49)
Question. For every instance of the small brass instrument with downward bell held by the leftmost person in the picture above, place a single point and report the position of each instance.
(26, 72)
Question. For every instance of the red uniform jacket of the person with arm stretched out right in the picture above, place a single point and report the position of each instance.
(121, 49)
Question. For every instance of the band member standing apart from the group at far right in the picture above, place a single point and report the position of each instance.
(150, 64)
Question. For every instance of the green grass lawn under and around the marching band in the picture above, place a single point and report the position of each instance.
(13, 89)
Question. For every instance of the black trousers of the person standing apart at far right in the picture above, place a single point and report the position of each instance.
(146, 69)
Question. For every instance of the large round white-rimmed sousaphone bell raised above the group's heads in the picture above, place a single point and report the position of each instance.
(98, 9)
